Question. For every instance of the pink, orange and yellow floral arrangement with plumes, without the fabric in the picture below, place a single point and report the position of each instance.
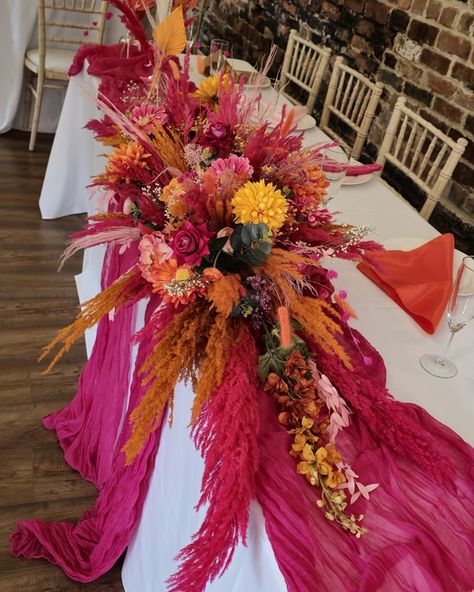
(227, 220)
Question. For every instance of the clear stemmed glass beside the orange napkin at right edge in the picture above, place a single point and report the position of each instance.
(460, 311)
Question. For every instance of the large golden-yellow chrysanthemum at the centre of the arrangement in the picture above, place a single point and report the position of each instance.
(260, 202)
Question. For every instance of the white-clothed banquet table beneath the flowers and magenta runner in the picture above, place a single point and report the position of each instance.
(169, 517)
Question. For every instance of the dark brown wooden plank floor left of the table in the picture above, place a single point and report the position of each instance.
(35, 301)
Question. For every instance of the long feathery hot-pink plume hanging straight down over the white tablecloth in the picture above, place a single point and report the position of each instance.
(226, 433)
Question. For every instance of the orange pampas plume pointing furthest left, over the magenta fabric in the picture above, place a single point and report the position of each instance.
(125, 290)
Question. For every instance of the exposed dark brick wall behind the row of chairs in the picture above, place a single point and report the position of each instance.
(420, 48)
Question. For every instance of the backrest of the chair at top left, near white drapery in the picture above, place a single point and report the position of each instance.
(70, 22)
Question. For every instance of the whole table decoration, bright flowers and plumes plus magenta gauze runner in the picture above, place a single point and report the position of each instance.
(219, 223)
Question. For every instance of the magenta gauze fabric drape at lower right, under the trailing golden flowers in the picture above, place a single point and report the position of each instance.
(421, 532)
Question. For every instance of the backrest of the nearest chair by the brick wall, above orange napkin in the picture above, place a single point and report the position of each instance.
(421, 151)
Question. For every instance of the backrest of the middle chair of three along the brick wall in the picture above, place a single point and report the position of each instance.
(353, 99)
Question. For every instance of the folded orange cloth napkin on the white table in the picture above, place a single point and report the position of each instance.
(419, 281)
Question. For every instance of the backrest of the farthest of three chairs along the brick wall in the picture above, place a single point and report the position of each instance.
(304, 64)
